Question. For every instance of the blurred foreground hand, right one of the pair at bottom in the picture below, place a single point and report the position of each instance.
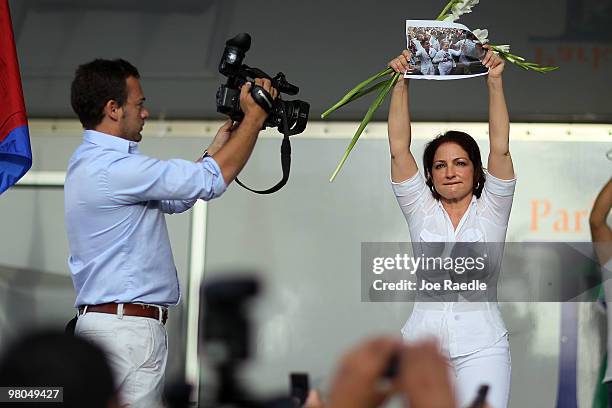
(424, 377)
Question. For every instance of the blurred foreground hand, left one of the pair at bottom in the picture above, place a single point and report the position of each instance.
(356, 384)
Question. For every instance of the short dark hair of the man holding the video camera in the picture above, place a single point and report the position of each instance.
(97, 82)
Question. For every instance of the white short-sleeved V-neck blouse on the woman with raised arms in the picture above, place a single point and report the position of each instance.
(461, 327)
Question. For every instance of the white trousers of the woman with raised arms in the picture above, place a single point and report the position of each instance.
(490, 366)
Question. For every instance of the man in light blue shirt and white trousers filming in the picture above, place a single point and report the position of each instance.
(115, 200)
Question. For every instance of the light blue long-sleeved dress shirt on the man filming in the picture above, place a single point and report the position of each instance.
(115, 200)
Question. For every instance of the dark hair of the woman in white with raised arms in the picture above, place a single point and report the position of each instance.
(468, 144)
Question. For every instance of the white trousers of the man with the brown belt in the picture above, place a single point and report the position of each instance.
(137, 350)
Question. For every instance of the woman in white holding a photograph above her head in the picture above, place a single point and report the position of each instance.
(456, 200)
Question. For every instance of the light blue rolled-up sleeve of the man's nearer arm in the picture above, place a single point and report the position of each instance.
(177, 183)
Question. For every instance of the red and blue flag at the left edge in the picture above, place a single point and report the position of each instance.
(15, 151)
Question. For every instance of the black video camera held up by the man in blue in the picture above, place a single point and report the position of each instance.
(290, 117)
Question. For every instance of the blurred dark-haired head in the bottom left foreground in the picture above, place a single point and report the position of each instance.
(55, 359)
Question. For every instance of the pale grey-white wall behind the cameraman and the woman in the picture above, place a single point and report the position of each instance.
(305, 242)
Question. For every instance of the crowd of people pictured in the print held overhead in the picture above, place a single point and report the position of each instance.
(444, 51)
